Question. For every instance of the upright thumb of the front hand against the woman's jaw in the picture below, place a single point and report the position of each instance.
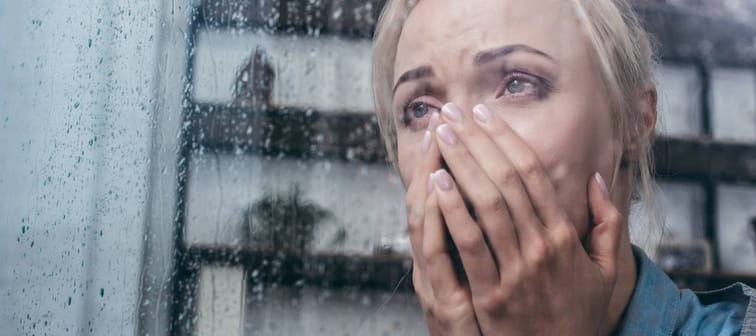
(604, 236)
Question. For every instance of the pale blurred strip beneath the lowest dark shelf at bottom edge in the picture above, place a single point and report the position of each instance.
(314, 311)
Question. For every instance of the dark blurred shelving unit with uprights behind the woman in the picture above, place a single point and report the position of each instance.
(310, 134)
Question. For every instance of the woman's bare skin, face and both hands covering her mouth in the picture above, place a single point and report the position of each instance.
(509, 95)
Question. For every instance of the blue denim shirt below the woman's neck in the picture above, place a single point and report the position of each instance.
(658, 307)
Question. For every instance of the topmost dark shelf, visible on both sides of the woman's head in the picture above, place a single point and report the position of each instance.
(684, 33)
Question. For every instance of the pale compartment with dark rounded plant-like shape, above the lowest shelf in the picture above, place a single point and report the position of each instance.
(352, 207)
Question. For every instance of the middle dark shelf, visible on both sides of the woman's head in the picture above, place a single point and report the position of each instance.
(308, 134)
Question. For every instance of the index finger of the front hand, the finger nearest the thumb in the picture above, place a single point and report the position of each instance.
(528, 165)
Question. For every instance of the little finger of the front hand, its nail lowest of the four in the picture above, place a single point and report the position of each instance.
(477, 259)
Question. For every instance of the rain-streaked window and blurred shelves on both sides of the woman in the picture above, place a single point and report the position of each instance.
(214, 167)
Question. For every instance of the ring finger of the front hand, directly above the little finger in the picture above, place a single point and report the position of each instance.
(490, 207)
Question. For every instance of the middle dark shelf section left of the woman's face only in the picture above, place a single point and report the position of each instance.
(288, 132)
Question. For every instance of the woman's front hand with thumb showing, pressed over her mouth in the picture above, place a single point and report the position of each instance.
(528, 272)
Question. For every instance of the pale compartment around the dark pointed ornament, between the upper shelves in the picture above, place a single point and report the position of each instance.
(324, 73)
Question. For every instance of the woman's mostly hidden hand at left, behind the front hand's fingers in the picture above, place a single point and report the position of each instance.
(454, 316)
